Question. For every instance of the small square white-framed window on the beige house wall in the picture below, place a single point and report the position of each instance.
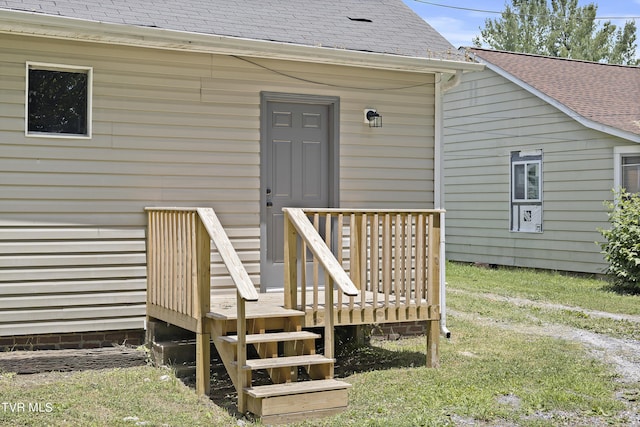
(58, 100)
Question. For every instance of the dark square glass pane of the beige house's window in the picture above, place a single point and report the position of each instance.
(58, 102)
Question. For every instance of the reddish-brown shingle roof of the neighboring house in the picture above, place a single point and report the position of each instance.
(603, 93)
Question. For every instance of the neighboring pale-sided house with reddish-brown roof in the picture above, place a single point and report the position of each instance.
(533, 147)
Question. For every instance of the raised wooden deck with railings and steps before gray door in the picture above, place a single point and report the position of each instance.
(371, 266)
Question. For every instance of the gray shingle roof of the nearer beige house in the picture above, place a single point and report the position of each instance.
(381, 26)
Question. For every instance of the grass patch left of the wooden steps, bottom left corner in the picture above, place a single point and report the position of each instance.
(107, 397)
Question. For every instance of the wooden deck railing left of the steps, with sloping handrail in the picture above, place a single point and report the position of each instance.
(179, 277)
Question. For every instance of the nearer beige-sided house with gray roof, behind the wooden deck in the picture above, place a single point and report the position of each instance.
(110, 107)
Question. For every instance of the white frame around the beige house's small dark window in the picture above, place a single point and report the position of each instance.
(30, 65)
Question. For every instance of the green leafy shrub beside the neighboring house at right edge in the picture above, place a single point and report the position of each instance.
(622, 249)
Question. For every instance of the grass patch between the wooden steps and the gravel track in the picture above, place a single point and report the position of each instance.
(481, 367)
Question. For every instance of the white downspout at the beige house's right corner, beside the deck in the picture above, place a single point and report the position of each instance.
(440, 88)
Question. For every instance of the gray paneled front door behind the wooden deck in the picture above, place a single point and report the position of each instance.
(296, 174)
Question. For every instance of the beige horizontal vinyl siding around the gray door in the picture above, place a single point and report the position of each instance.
(171, 129)
